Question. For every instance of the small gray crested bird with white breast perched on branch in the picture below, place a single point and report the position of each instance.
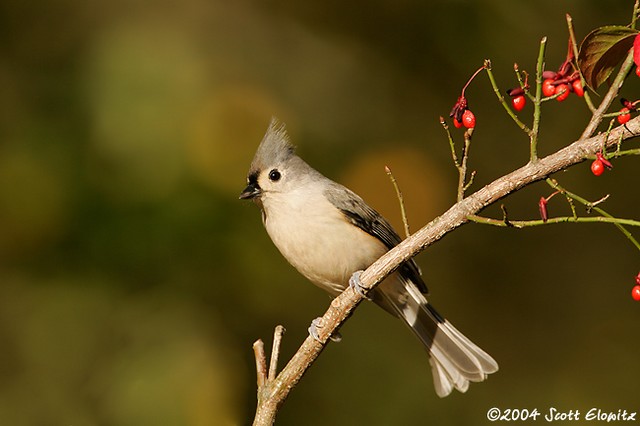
(328, 233)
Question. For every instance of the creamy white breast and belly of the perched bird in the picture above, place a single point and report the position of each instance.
(316, 238)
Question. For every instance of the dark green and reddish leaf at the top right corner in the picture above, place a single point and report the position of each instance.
(602, 50)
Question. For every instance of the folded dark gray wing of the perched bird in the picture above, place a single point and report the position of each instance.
(364, 217)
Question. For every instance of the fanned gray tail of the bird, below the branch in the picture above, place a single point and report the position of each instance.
(455, 360)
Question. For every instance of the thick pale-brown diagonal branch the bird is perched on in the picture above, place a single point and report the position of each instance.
(275, 392)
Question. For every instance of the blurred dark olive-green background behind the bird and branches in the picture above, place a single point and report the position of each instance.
(133, 282)
